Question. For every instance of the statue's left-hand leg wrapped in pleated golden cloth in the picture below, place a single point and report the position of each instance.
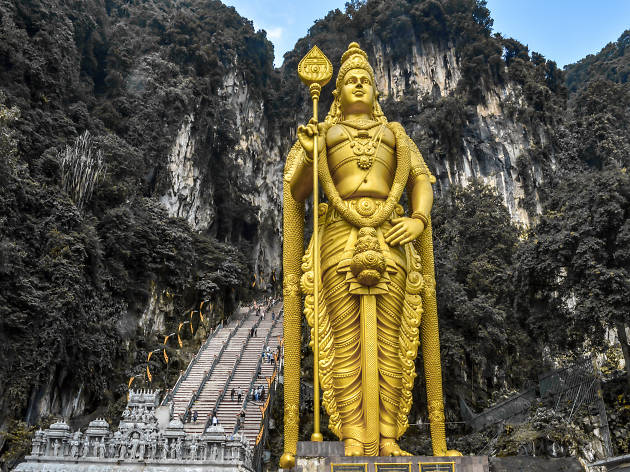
(343, 311)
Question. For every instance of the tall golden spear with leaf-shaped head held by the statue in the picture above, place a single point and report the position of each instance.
(315, 70)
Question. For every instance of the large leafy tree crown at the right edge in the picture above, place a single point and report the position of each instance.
(574, 268)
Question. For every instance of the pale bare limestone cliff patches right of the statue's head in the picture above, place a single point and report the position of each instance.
(491, 143)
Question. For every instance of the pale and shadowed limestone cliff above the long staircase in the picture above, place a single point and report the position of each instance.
(236, 196)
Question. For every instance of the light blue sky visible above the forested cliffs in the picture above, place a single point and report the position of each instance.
(562, 30)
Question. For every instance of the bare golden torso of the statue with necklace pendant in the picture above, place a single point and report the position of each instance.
(361, 159)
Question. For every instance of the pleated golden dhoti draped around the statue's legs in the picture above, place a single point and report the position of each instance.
(361, 368)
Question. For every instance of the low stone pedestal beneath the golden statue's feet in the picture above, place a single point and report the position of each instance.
(328, 456)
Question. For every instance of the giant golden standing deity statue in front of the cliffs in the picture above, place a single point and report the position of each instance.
(373, 266)
